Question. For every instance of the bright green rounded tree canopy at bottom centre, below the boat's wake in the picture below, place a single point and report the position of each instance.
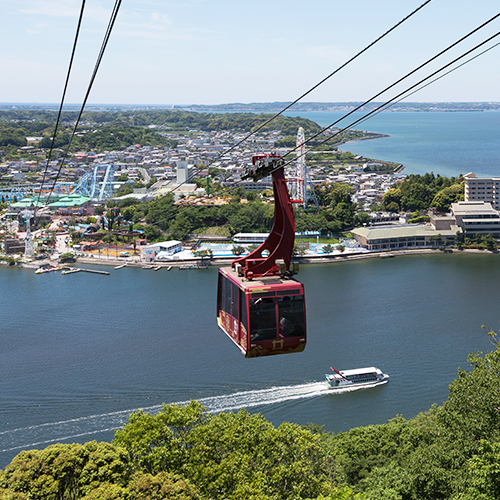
(228, 455)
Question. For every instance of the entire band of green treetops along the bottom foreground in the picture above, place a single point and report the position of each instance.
(450, 452)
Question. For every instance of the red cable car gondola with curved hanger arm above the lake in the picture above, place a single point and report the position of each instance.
(259, 305)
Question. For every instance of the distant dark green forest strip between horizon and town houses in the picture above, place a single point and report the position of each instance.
(112, 130)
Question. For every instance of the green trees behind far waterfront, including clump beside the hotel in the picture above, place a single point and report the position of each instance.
(162, 217)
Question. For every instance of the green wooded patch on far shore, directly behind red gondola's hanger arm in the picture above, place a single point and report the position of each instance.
(163, 216)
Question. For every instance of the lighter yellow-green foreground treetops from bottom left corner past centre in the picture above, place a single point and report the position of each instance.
(180, 453)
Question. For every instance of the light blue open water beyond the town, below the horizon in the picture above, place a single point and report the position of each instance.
(448, 144)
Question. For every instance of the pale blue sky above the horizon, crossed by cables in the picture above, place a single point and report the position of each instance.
(218, 51)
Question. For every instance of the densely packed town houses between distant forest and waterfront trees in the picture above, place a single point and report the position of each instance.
(195, 152)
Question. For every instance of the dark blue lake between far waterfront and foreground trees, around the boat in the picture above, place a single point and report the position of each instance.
(79, 352)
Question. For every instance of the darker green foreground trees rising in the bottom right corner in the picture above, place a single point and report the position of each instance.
(450, 452)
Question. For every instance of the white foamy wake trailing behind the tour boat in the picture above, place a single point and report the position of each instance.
(42, 435)
